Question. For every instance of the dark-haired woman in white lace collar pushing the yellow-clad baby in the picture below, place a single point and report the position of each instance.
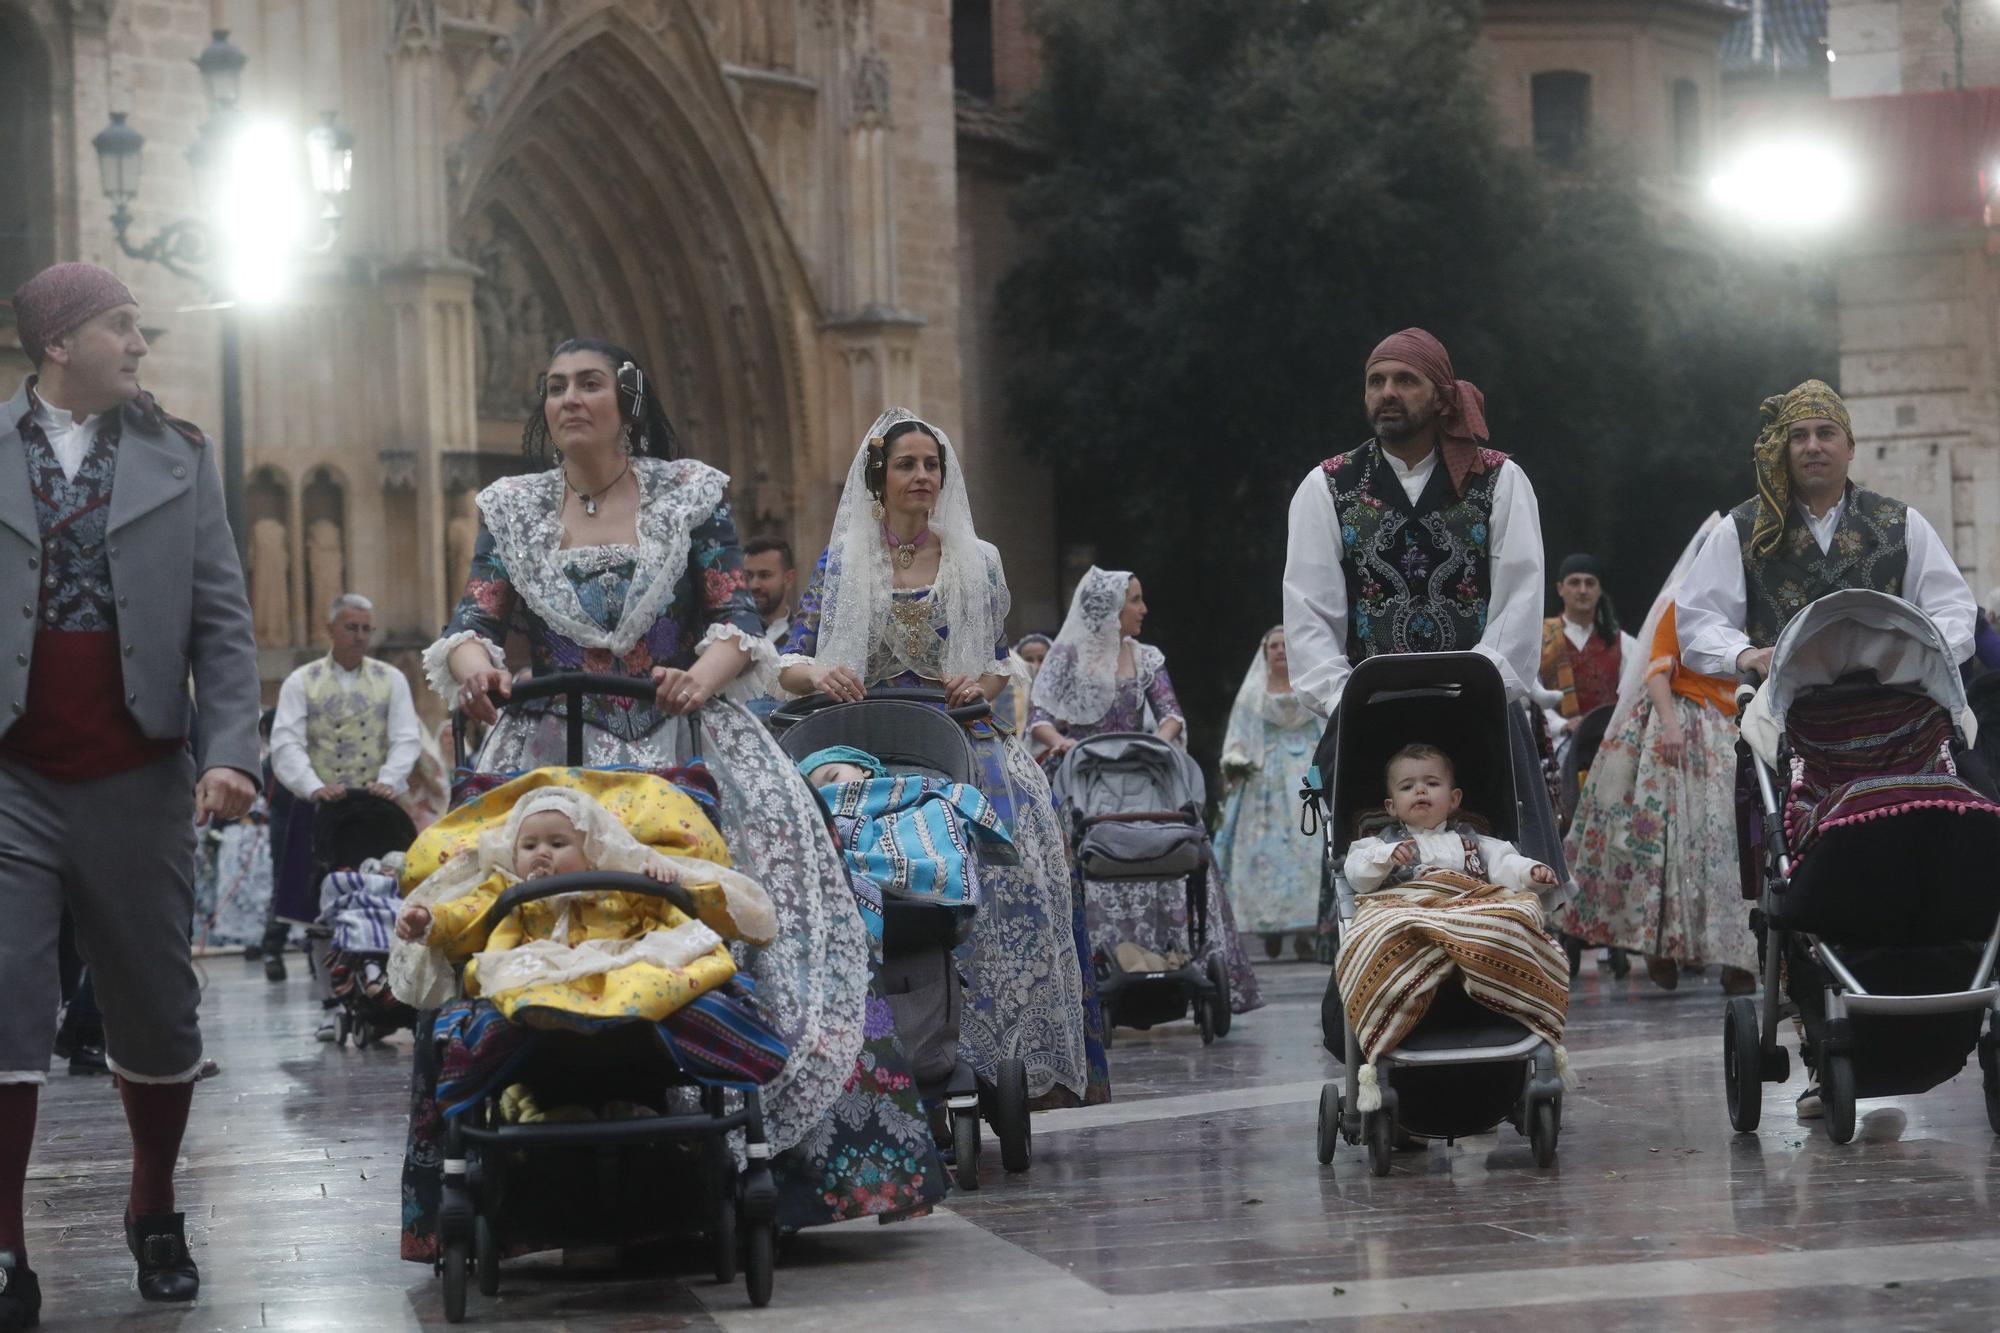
(623, 559)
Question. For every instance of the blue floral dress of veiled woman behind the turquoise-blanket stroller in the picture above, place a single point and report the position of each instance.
(1027, 972)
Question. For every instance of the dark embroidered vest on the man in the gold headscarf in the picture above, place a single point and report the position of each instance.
(1869, 551)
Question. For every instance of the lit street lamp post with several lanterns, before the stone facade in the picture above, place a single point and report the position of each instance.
(201, 247)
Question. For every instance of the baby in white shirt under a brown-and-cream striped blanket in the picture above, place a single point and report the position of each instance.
(1441, 898)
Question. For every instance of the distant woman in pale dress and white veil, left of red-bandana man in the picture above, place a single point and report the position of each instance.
(1271, 868)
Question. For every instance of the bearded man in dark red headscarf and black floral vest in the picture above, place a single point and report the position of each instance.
(1425, 539)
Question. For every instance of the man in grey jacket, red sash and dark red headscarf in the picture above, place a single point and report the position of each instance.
(115, 547)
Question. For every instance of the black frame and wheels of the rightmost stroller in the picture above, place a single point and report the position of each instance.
(1751, 1052)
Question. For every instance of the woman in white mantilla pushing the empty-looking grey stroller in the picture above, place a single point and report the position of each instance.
(1101, 680)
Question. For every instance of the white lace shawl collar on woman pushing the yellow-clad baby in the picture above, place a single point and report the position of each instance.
(525, 517)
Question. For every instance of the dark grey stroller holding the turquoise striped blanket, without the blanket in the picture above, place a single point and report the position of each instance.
(909, 734)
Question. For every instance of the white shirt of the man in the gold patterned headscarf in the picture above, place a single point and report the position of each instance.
(1713, 603)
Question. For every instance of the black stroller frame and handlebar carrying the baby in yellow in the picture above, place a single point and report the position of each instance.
(625, 1168)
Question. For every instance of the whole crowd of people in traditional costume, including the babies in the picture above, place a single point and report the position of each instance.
(617, 555)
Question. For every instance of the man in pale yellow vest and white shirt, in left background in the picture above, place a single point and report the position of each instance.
(345, 726)
